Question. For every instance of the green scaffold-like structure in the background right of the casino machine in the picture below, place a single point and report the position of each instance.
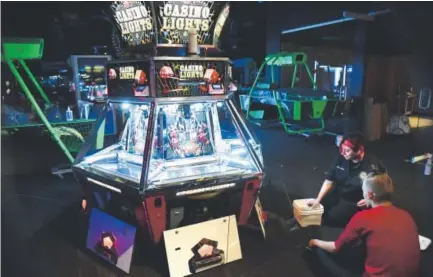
(298, 103)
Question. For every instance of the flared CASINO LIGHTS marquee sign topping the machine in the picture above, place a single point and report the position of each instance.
(168, 22)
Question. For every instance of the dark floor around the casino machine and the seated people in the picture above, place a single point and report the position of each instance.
(40, 224)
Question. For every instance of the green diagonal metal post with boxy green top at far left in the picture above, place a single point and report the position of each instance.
(28, 49)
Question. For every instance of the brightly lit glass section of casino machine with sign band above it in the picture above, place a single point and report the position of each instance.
(177, 126)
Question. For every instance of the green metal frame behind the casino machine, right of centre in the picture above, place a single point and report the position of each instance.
(296, 60)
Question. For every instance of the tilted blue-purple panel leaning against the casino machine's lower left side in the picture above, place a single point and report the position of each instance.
(111, 239)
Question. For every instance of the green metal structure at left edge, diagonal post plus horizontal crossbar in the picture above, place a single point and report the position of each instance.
(22, 49)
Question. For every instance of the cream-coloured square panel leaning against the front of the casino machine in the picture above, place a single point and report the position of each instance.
(203, 246)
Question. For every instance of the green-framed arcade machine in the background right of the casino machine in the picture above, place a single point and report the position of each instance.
(300, 110)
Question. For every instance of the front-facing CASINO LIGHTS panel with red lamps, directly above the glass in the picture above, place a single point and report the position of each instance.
(189, 78)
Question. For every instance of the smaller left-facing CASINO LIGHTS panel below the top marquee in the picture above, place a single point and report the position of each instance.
(128, 79)
